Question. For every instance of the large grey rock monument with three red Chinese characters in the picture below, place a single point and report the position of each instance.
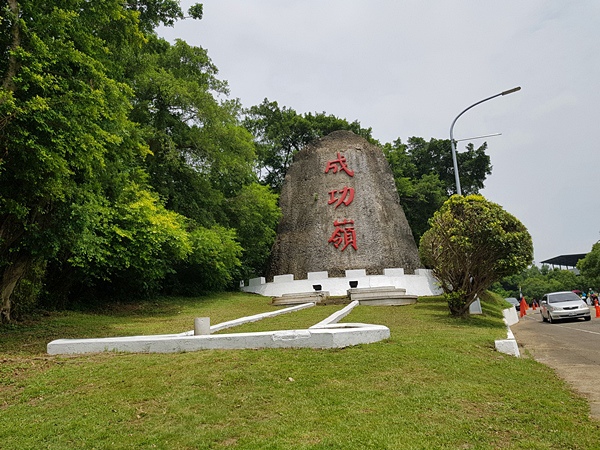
(341, 211)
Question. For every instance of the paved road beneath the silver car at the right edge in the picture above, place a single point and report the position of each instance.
(572, 348)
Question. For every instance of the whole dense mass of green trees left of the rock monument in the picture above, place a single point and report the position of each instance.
(121, 158)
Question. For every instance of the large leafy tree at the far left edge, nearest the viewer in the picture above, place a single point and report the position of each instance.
(61, 115)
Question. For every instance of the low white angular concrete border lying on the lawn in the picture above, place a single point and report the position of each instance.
(326, 334)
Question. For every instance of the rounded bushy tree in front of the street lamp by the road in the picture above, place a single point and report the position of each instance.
(471, 244)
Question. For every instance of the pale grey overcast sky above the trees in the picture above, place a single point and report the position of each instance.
(408, 68)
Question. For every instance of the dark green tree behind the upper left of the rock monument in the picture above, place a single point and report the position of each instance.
(280, 133)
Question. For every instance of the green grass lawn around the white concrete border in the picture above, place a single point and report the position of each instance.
(437, 383)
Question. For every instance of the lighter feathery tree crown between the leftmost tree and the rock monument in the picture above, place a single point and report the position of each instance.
(200, 155)
